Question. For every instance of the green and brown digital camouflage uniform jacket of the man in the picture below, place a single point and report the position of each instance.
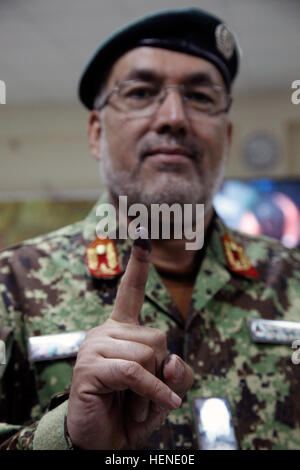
(46, 288)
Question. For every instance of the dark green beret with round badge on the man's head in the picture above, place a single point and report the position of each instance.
(190, 30)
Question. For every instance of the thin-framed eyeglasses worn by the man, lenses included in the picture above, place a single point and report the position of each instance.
(143, 99)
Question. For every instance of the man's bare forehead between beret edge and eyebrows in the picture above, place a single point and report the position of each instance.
(164, 63)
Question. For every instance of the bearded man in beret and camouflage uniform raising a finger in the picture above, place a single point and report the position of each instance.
(189, 337)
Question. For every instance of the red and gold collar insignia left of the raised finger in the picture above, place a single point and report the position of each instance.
(102, 258)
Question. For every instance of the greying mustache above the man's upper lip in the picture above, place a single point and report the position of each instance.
(194, 150)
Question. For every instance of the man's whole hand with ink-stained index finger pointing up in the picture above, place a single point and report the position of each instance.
(124, 383)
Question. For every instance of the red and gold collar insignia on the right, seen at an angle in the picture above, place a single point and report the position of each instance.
(237, 259)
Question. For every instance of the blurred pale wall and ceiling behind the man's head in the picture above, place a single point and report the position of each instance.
(44, 47)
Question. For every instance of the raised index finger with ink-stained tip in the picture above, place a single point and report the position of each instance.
(131, 292)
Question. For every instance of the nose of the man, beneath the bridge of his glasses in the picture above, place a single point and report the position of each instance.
(170, 116)
